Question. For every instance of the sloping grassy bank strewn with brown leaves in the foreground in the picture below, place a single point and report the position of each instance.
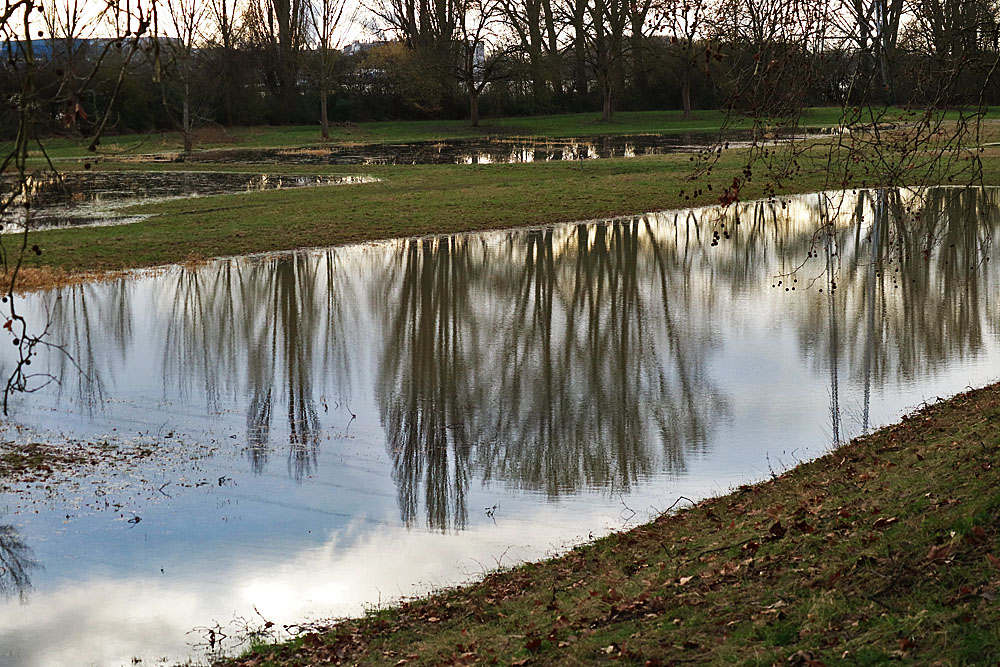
(886, 549)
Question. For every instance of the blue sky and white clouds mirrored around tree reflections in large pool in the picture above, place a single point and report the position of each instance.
(332, 540)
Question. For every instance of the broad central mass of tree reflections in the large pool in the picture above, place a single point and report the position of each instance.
(551, 369)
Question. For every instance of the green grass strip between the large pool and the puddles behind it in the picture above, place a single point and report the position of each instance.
(408, 201)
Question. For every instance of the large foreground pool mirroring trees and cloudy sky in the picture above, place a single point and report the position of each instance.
(338, 428)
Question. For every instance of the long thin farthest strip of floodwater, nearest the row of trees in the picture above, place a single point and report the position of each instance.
(497, 150)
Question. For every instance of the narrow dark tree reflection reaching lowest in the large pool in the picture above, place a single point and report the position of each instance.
(432, 379)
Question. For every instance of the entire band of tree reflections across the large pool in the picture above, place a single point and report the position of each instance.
(561, 359)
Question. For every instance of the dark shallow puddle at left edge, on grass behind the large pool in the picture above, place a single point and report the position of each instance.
(91, 199)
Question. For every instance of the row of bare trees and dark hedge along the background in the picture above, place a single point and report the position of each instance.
(184, 63)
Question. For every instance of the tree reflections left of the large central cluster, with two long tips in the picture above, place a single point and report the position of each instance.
(263, 322)
